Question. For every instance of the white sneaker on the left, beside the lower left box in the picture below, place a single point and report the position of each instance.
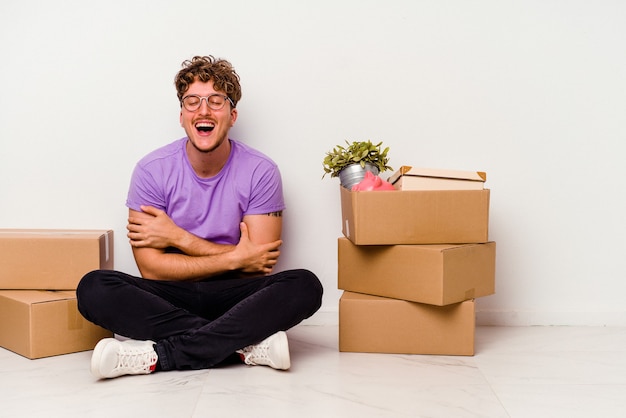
(113, 358)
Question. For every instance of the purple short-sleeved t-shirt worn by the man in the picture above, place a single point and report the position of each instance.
(211, 208)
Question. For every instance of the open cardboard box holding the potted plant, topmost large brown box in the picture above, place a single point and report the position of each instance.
(415, 217)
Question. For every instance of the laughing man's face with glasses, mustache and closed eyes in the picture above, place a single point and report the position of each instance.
(206, 128)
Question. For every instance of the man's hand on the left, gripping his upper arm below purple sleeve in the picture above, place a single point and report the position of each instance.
(152, 228)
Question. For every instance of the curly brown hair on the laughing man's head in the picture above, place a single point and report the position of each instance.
(207, 68)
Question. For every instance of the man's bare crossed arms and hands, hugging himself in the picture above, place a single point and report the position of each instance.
(151, 232)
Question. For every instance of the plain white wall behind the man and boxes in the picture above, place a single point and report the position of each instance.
(532, 92)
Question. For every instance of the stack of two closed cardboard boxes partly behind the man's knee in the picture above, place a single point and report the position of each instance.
(39, 273)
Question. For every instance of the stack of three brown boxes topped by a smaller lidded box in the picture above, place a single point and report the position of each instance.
(412, 262)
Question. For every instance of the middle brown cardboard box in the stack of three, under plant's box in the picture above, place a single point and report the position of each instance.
(434, 274)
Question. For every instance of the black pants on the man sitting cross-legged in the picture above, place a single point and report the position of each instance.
(197, 325)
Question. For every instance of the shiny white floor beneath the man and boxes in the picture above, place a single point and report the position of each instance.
(517, 372)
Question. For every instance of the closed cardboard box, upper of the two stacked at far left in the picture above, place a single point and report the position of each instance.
(52, 259)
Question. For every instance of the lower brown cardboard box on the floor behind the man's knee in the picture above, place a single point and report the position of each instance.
(39, 323)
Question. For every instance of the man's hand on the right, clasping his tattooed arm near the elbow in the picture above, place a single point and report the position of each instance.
(255, 258)
